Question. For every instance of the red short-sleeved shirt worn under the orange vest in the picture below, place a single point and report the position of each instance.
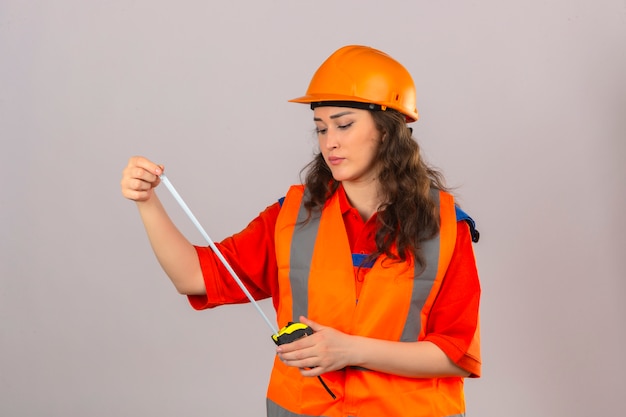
(452, 320)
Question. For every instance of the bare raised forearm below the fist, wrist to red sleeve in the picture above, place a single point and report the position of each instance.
(175, 253)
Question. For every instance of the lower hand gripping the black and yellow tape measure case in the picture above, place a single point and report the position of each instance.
(325, 350)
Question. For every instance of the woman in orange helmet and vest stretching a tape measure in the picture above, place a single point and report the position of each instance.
(370, 253)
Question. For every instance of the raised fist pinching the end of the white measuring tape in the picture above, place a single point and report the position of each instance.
(139, 178)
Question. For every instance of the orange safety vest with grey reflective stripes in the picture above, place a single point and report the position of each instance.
(316, 280)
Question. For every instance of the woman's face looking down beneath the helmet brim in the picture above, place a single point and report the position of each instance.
(349, 142)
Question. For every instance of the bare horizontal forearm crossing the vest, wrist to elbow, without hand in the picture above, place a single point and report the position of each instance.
(412, 359)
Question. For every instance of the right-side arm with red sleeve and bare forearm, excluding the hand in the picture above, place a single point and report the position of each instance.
(452, 329)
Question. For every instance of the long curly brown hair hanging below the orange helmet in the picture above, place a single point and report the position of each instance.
(408, 214)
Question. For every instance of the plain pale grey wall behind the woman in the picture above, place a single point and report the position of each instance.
(523, 106)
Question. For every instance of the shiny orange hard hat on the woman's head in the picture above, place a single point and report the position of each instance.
(363, 77)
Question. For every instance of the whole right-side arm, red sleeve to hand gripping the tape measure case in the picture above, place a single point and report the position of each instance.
(451, 346)
